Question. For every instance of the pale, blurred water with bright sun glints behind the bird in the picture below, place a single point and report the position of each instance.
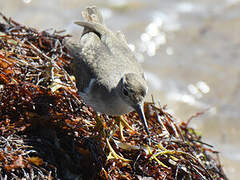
(189, 50)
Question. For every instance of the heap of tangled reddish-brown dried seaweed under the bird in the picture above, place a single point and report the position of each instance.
(47, 132)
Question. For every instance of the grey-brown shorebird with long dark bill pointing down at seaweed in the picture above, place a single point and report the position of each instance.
(108, 76)
